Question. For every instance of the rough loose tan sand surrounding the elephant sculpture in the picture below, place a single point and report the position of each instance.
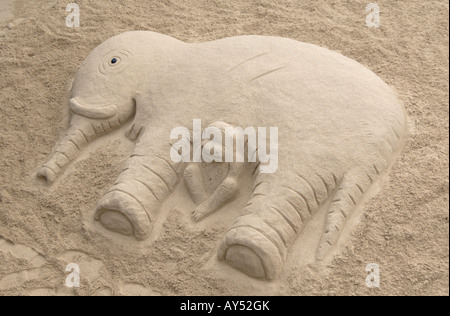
(404, 229)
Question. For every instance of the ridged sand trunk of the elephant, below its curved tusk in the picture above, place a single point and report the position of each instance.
(81, 132)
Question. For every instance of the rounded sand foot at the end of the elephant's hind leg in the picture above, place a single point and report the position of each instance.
(249, 251)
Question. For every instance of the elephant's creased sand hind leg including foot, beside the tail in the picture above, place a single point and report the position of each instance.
(259, 240)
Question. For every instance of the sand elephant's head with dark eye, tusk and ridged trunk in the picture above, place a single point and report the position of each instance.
(103, 94)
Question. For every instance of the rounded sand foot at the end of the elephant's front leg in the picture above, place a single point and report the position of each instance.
(121, 212)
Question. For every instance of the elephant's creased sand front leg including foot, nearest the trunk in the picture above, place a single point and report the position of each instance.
(130, 206)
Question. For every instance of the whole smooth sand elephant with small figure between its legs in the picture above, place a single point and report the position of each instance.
(339, 126)
